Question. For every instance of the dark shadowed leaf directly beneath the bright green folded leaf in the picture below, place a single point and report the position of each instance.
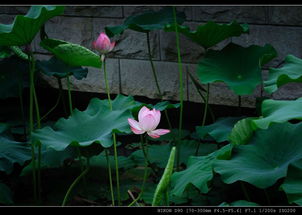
(57, 68)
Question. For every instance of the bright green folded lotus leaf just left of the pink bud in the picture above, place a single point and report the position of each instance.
(72, 54)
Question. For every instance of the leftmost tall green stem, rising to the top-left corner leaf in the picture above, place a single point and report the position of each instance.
(31, 121)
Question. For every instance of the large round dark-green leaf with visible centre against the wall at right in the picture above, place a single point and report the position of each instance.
(239, 67)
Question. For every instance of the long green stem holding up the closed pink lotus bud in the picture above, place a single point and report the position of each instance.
(114, 137)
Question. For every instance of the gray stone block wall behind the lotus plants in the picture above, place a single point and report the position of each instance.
(129, 70)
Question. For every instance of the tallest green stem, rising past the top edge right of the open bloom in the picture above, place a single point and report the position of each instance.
(180, 89)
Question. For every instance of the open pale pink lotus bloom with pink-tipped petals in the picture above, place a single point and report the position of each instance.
(148, 120)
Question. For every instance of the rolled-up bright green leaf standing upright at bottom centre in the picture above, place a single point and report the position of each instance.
(163, 185)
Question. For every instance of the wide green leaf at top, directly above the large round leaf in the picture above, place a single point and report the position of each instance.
(211, 33)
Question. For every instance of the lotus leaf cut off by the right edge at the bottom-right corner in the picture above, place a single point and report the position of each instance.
(292, 185)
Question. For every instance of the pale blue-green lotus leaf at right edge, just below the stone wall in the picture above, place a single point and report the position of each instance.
(278, 111)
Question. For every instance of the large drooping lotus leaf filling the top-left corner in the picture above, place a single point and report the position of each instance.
(24, 28)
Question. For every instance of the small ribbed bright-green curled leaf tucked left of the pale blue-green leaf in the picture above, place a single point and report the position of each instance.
(242, 131)
